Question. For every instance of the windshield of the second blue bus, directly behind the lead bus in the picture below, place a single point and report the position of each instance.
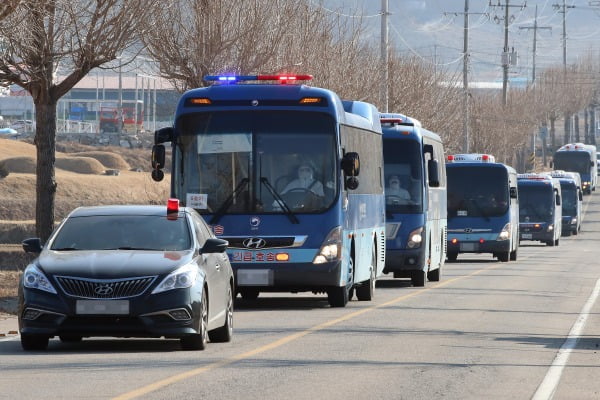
(403, 176)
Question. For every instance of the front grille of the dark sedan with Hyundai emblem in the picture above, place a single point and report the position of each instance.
(104, 288)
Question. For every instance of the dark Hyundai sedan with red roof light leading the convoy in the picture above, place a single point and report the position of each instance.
(128, 271)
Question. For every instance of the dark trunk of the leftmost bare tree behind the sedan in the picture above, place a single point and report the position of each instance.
(45, 143)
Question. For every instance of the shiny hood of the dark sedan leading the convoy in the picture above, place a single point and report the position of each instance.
(106, 264)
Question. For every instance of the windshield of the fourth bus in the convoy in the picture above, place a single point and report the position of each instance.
(536, 203)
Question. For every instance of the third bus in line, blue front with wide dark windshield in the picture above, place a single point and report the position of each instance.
(483, 207)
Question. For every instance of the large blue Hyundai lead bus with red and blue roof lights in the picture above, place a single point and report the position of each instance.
(290, 175)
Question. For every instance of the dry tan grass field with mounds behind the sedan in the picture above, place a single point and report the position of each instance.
(81, 180)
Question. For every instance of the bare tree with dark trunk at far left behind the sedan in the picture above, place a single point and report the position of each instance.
(45, 38)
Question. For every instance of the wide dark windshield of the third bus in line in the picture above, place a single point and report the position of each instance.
(477, 192)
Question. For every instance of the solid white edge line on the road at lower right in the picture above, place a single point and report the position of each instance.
(548, 386)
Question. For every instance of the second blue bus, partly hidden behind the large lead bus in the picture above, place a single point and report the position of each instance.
(415, 193)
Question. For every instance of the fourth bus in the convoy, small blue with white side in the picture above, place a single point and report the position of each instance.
(540, 209)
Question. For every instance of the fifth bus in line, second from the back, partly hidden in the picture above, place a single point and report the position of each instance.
(572, 201)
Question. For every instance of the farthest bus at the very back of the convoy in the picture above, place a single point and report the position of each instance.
(581, 158)
